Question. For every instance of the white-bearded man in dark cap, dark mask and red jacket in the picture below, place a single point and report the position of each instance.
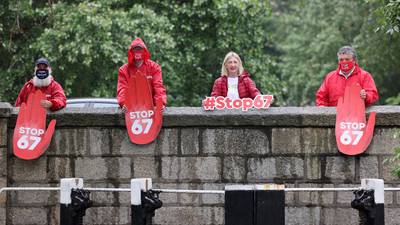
(43, 81)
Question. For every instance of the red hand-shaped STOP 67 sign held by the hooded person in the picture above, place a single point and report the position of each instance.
(143, 120)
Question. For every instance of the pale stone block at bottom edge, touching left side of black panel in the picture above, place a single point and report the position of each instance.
(189, 215)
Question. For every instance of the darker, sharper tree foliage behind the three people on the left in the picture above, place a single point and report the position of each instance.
(87, 41)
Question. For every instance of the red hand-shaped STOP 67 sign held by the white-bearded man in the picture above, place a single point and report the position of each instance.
(31, 139)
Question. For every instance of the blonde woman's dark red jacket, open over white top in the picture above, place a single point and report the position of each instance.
(246, 87)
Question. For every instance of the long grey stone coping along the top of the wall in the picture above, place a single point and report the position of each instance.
(197, 117)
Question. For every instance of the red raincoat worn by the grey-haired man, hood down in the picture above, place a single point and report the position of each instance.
(334, 85)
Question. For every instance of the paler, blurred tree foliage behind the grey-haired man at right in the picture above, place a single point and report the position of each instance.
(313, 31)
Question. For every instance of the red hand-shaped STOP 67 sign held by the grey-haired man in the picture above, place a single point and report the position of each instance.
(353, 135)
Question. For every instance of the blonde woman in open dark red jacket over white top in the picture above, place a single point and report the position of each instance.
(234, 81)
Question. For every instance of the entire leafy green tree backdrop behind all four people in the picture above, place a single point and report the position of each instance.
(287, 46)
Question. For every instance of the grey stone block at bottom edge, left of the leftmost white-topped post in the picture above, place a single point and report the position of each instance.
(27, 216)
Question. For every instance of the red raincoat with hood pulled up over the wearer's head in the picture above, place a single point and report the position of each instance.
(151, 69)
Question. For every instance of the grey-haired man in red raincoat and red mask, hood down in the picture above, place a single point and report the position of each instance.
(347, 73)
